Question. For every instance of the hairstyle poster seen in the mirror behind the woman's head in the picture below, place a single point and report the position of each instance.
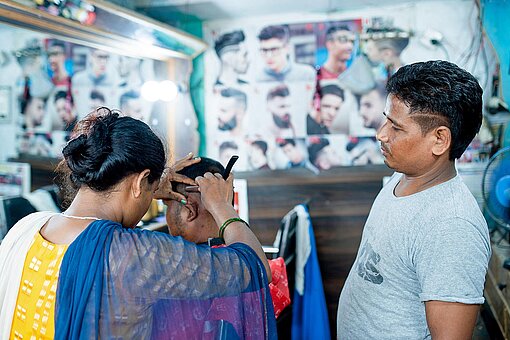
(56, 83)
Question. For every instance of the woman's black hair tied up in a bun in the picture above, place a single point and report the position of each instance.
(110, 148)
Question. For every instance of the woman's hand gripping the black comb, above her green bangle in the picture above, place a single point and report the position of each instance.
(216, 193)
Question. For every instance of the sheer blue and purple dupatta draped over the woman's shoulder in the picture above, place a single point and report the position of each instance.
(126, 283)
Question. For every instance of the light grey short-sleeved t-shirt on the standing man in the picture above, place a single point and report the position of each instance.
(432, 245)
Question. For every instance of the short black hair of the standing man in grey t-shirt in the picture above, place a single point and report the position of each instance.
(446, 91)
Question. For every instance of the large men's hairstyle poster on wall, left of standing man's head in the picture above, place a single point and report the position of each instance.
(311, 95)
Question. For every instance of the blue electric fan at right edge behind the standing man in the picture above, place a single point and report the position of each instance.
(496, 190)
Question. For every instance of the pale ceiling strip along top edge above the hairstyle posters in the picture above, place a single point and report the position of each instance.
(225, 9)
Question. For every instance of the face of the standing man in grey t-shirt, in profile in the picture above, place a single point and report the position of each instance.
(405, 149)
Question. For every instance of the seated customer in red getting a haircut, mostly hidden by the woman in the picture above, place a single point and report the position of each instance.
(194, 223)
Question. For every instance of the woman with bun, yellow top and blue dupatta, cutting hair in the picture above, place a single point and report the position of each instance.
(87, 273)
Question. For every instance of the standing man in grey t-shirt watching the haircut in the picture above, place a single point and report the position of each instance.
(421, 264)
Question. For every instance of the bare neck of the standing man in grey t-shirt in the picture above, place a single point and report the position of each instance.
(412, 184)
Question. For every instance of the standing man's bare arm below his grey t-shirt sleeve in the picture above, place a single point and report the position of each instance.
(451, 320)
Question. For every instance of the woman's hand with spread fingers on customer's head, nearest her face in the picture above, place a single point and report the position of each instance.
(170, 175)
